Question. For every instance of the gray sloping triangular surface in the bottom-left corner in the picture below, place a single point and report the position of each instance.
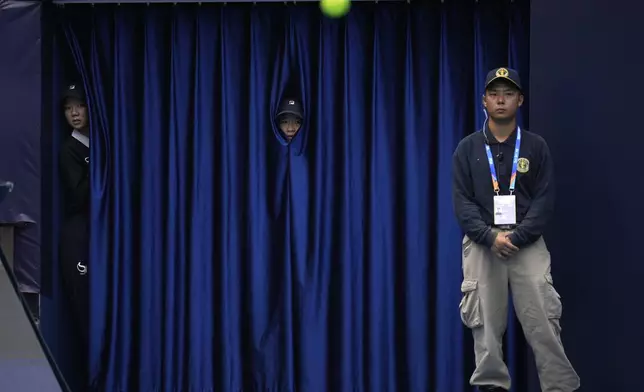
(23, 364)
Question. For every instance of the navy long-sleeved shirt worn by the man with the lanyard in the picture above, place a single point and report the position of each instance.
(473, 193)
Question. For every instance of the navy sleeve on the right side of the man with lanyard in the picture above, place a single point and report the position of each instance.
(531, 227)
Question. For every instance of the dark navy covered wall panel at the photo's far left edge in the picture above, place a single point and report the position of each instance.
(20, 133)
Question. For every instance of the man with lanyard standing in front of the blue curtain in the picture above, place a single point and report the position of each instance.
(502, 188)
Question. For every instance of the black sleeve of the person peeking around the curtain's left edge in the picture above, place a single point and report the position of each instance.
(75, 178)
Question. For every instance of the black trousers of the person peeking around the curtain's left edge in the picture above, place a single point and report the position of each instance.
(74, 268)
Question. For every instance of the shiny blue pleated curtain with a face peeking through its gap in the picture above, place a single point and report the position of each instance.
(224, 259)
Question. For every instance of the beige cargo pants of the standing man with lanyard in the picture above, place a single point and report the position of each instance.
(484, 308)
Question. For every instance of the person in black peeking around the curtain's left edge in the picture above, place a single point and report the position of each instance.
(74, 174)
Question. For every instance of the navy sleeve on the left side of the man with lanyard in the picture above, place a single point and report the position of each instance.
(466, 209)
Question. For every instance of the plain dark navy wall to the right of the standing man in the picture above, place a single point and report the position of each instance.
(586, 99)
